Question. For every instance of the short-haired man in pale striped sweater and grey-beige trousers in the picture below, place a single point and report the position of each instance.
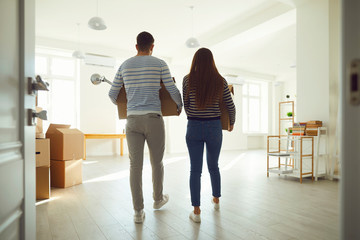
(141, 76)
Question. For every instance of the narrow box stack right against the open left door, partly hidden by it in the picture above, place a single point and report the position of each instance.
(42, 156)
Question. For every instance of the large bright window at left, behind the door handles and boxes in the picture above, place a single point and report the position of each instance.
(60, 71)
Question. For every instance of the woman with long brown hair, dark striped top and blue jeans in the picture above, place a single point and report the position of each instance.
(203, 91)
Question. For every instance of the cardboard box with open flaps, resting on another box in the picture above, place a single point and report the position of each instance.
(65, 143)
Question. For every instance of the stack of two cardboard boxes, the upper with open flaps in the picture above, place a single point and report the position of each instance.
(67, 151)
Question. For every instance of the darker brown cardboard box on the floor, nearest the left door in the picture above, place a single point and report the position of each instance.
(42, 183)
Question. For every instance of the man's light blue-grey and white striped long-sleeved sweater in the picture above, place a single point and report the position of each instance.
(141, 76)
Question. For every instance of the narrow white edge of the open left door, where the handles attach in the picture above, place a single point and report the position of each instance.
(27, 133)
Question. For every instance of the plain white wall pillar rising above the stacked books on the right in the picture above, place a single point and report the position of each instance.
(313, 61)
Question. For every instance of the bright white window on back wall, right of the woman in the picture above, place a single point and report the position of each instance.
(255, 108)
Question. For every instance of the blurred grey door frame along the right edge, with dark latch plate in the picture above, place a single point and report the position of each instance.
(350, 130)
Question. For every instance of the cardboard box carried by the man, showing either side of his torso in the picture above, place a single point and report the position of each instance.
(168, 105)
